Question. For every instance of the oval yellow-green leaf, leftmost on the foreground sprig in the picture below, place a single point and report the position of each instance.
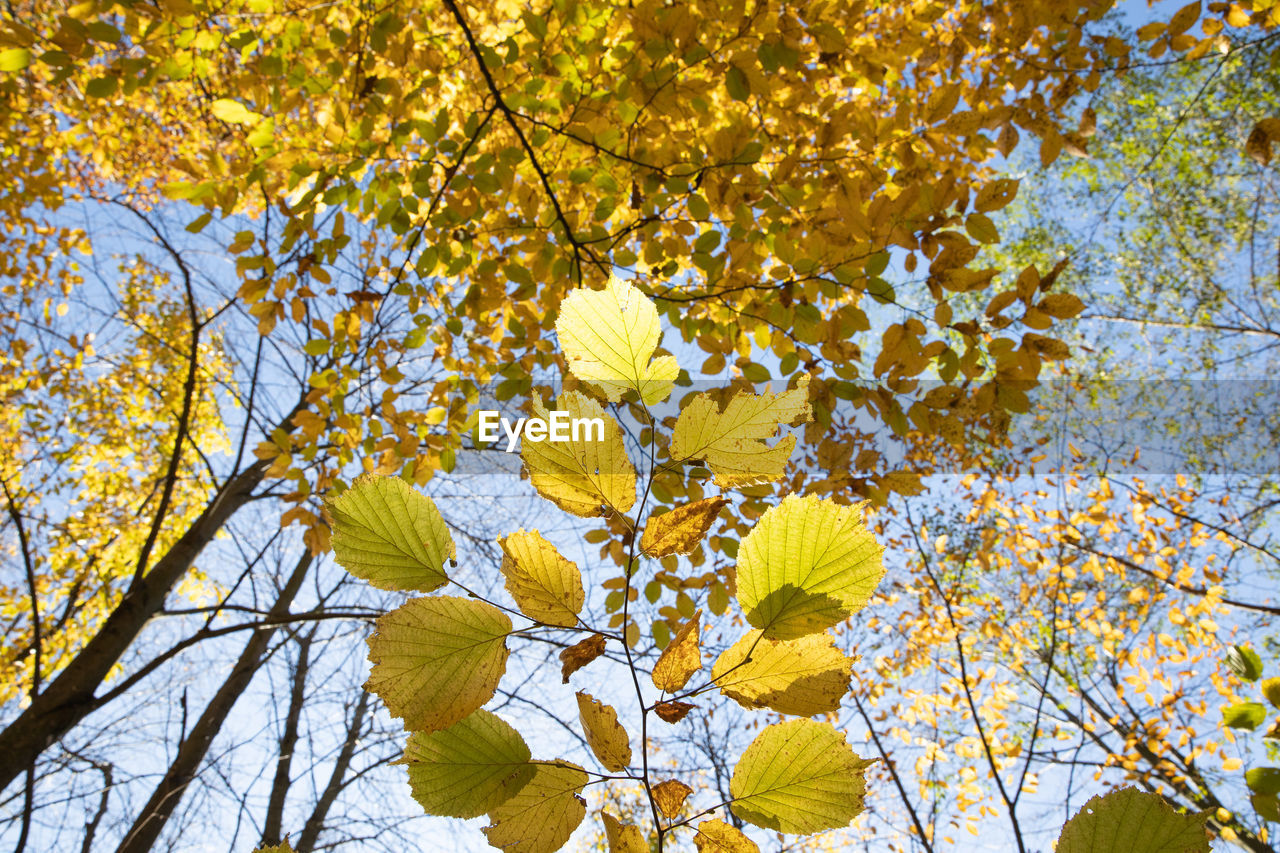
(392, 536)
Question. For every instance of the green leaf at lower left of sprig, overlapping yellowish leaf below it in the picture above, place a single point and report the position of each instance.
(469, 769)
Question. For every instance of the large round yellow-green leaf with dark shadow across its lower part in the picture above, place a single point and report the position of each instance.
(806, 567)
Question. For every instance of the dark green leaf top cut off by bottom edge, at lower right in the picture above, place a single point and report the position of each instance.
(1133, 822)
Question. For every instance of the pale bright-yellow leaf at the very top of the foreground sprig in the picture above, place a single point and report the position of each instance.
(610, 336)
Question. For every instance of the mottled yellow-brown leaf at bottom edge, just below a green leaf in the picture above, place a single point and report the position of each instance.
(542, 816)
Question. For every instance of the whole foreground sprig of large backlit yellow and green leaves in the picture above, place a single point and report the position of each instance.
(437, 660)
